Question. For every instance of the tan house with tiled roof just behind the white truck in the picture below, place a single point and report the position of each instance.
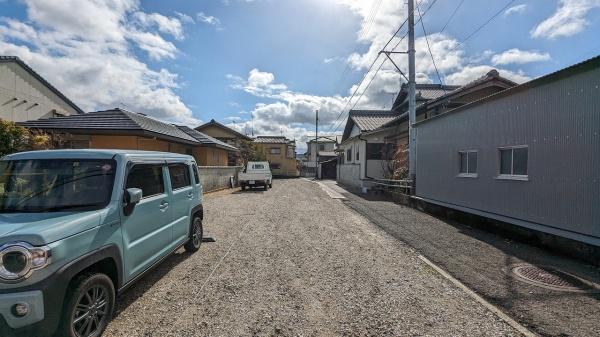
(280, 153)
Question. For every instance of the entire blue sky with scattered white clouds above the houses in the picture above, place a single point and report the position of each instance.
(279, 60)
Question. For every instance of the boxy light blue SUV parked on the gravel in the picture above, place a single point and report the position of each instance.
(79, 226)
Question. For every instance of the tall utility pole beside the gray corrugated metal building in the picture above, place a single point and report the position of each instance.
(412, 139)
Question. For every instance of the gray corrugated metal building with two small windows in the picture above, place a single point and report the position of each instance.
(529, 155)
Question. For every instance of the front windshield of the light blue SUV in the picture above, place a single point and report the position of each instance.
(52, 185)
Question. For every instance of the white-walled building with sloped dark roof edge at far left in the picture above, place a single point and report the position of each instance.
(25, 95)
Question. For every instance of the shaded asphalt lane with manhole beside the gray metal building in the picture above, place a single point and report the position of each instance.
(483, 260)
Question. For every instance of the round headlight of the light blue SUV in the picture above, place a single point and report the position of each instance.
(19, 260)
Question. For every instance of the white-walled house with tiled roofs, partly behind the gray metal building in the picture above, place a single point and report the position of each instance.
(371, 136)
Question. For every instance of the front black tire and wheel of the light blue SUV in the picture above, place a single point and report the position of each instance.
(96, 293)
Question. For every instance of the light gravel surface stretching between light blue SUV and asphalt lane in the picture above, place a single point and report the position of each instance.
(294, 262)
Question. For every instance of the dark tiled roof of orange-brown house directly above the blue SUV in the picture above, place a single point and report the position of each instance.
(113, 120)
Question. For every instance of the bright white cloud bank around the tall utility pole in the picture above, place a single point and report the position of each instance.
(293, 112)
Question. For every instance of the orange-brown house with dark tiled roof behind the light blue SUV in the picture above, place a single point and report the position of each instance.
(122, 129)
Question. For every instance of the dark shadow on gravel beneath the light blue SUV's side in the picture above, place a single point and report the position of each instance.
(140, 287)
